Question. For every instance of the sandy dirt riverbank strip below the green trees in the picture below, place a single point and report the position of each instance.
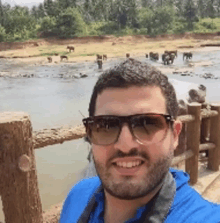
(86, 48)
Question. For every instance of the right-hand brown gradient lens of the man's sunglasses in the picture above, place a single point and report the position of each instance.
(149, 128)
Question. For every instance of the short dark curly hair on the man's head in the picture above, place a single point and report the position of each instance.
(135, 73)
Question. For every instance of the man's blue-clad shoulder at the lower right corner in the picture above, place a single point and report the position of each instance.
(189, 206)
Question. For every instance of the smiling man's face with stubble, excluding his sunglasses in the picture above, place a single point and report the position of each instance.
(127, 168)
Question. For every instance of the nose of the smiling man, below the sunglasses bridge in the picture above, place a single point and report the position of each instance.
(126, 141)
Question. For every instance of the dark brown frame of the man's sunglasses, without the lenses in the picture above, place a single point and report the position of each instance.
(124, 119)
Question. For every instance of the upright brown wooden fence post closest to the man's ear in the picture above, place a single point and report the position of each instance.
(193, 142)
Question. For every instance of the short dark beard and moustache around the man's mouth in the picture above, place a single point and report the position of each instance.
(129, 188)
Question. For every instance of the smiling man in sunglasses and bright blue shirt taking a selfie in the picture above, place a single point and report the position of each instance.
(133, 132)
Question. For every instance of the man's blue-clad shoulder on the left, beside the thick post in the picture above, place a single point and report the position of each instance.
(78, 198)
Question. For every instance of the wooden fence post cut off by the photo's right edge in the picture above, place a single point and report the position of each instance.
(213, 162)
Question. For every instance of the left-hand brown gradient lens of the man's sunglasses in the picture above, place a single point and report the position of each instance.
(103, 130)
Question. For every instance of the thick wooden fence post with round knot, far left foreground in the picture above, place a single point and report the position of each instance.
(18, 184)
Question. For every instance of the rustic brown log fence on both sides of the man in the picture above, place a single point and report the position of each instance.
(19, 185)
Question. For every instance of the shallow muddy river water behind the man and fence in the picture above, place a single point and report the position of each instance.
(54, 96)
